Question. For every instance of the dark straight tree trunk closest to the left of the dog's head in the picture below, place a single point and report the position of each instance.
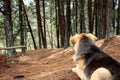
(68, 25)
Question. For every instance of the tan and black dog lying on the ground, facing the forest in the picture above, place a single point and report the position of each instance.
(92, 63)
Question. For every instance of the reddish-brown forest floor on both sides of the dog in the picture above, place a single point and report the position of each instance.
(50, 64)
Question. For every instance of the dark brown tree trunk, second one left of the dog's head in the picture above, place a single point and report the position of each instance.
(61, 18)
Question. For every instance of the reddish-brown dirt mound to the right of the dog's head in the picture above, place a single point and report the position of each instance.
(112, 46)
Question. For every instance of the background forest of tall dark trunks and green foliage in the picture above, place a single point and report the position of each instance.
(50, 23)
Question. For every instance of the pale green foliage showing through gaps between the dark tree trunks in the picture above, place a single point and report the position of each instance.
(50, 20)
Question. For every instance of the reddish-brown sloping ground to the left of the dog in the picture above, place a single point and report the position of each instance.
(43, 64)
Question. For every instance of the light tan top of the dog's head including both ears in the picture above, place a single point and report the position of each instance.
(77, 37)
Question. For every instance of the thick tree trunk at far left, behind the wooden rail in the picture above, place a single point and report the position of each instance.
(8, 26)
